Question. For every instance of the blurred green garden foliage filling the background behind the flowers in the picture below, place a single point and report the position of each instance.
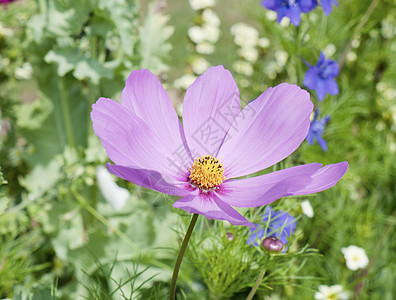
(63, 238)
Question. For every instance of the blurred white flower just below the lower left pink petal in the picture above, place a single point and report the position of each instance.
(114, 194)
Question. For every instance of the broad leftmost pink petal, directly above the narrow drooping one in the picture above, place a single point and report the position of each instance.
(128, 140)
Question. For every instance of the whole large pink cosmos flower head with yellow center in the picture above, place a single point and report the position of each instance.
(217, 143)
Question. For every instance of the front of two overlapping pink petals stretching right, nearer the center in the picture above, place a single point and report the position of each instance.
(265, 189)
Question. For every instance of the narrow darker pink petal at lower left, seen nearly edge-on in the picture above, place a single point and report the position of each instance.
(147, 179)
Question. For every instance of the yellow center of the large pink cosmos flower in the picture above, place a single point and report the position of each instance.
(206, 173)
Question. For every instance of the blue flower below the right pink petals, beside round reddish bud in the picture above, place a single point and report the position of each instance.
(281, 225)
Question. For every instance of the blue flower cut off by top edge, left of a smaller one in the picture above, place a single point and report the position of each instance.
(290, 8)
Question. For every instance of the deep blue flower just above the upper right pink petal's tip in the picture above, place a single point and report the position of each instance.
(321, 77)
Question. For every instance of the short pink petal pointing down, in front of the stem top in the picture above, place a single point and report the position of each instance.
(211, 207)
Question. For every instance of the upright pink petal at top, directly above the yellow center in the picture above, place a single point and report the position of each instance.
(210, 106)
